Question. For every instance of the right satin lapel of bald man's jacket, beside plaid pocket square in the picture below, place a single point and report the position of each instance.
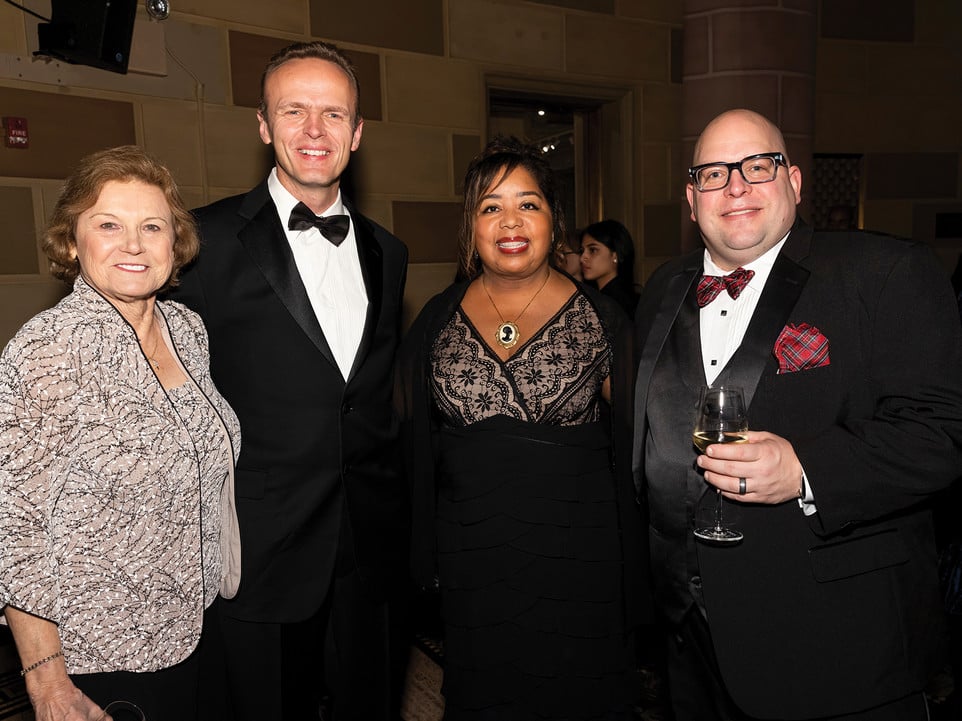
(781, 292)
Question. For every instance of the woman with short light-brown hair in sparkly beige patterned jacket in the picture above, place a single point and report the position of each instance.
(115, 450)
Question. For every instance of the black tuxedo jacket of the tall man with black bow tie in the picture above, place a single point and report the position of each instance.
(317, 482)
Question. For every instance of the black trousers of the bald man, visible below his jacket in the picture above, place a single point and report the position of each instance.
(698, 693)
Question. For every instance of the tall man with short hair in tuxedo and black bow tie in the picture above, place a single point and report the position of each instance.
(303, 317)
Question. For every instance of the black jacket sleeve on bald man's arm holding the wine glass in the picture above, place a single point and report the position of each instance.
(909, 444)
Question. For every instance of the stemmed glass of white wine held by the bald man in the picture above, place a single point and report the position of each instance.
(720, 418)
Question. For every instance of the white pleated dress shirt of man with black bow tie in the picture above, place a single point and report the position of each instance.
(331, 274)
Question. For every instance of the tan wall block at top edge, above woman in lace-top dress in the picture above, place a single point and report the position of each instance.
(507, 34)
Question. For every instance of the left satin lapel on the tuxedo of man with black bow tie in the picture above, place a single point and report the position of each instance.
(264, 239)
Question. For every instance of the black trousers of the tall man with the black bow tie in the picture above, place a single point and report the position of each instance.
(340, 659)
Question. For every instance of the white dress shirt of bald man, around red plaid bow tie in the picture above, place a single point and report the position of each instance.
(723, 322)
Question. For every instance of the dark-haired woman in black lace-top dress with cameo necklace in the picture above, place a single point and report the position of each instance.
(534, 539)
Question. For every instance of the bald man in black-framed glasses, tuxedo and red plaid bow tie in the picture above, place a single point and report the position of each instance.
(848, 348)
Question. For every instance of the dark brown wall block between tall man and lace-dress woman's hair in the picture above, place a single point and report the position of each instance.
(430, 230)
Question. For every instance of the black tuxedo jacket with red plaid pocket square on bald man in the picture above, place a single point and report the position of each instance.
(838, 611)
